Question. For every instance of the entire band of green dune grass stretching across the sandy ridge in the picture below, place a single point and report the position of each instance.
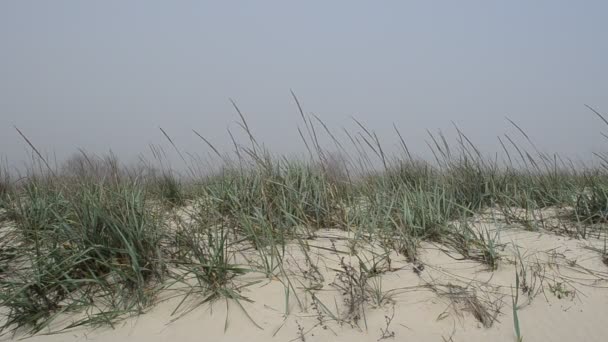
(97, 239)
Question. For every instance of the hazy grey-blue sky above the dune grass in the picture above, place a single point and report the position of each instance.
(105, 75)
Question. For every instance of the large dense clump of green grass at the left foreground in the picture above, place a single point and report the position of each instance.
(99, 245)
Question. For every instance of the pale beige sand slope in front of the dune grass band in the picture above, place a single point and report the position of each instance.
(436, 304)
